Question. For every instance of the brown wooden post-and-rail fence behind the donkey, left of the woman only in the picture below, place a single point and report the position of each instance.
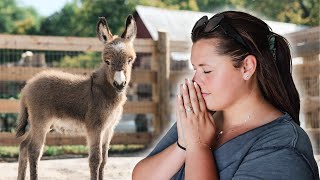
(160, 63)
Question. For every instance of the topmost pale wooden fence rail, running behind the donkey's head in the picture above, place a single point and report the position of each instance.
(59, 43)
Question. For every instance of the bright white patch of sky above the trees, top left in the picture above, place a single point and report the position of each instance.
(44, 7)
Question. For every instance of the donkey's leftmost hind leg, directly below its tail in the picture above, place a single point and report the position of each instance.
(23, 158)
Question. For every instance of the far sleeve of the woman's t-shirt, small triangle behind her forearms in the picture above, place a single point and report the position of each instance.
(169, 138)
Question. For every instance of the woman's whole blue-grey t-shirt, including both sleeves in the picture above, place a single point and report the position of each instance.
(278, 150)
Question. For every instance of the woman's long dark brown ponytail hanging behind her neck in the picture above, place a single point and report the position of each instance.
(275, 76)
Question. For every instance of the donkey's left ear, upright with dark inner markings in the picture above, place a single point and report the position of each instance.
(103, 31)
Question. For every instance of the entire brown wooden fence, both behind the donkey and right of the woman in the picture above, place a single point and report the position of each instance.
(305, 44)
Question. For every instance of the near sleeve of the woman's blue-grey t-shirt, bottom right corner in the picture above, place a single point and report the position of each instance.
(275, 163)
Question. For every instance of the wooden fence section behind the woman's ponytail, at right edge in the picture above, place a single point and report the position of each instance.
(306, 46)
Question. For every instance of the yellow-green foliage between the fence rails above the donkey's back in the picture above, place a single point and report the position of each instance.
(86, 60)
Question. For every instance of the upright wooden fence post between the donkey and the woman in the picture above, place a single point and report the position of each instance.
(163, 80)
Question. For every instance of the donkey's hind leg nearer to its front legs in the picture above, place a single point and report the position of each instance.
(35, 147)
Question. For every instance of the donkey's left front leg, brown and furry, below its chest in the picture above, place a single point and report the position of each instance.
(95, 153)
